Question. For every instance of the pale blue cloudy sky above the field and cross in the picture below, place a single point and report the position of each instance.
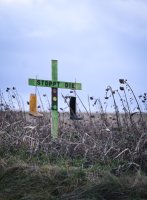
(96, 42)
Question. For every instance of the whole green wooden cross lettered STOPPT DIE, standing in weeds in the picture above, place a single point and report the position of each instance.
(55, 84)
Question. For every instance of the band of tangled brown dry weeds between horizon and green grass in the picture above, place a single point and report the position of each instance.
(91, 139)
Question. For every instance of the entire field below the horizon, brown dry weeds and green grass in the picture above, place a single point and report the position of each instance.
(94, 158)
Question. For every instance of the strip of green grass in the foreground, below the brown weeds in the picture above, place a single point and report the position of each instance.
(42, 182)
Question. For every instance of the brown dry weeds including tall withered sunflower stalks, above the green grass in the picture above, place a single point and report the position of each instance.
(104, 136)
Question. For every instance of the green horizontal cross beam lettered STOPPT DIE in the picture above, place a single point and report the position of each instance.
(55, 84)
